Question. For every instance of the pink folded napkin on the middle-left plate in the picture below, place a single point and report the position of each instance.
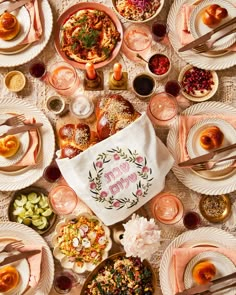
(31, 155)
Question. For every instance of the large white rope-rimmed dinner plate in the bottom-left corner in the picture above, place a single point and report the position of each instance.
(16, 231)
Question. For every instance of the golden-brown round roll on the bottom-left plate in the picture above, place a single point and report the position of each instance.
(9, 278)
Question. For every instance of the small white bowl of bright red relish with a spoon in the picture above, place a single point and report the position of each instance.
(159, 66)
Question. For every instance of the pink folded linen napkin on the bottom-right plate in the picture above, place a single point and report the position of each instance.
(182, 256)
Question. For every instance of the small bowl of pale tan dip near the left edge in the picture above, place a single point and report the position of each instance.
(15, 81)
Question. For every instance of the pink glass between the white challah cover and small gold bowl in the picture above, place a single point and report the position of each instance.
(167, 208)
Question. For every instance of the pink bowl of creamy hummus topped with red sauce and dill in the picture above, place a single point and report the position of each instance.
(108, 31)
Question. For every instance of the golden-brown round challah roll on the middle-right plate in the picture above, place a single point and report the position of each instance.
(211, 138)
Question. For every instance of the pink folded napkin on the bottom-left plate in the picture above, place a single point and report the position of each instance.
(34, 264)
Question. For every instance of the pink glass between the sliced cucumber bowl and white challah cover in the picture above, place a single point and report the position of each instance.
(63, 200)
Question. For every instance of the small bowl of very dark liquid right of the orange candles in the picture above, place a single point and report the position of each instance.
(144, 85)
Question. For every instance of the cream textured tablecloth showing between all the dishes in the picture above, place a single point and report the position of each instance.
(37, 91)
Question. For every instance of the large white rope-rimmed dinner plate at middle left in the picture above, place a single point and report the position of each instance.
(26, 177)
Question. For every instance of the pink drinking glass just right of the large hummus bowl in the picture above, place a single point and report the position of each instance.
(137, 40)
